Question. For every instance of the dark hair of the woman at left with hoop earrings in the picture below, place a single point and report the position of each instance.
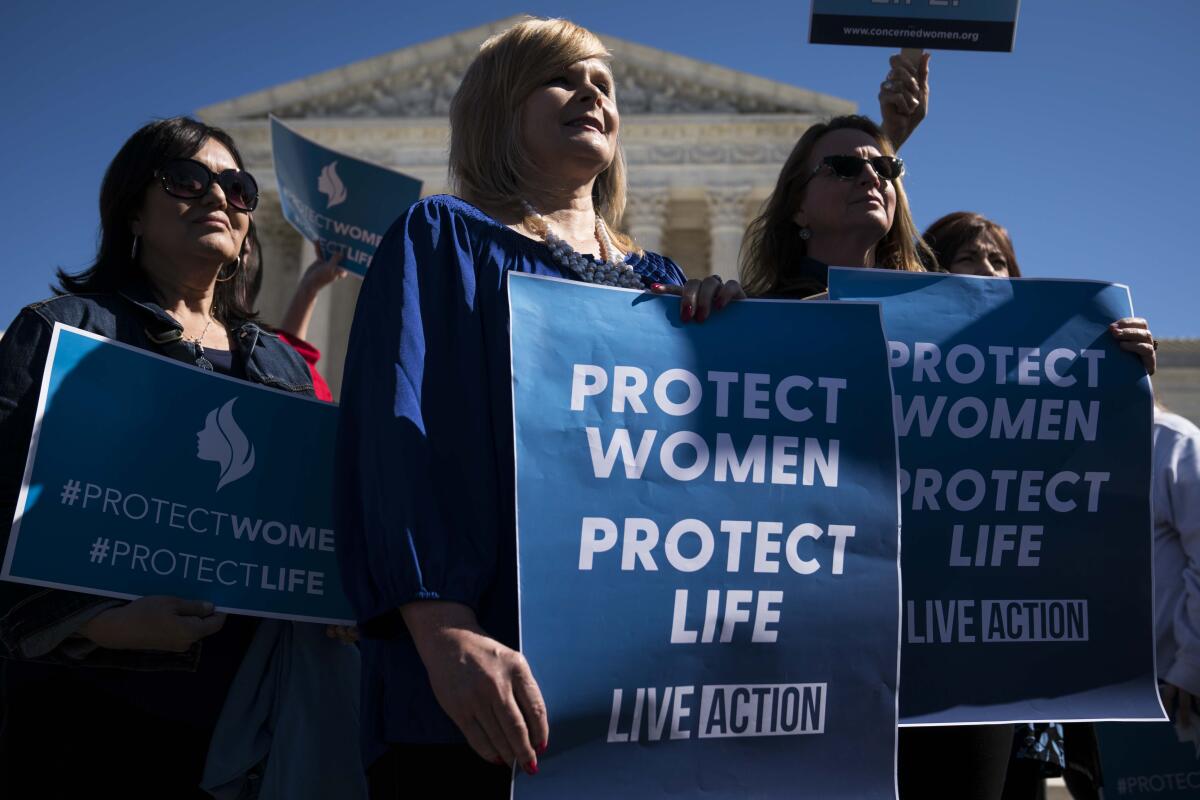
(122, 195)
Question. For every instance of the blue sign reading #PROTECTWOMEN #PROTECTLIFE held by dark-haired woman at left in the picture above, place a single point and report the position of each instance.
(148, 477)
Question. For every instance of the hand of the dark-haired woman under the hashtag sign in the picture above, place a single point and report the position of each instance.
(155, 623)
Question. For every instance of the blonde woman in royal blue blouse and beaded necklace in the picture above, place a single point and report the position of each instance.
(427, 484)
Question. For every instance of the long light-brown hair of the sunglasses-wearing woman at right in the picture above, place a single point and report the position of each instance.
(773, 245)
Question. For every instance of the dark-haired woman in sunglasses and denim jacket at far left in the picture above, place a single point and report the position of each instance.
(107, 697)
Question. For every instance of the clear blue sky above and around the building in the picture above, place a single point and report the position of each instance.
(1083, 142)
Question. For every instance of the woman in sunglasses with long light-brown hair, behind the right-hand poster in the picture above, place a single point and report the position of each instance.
(839, 201)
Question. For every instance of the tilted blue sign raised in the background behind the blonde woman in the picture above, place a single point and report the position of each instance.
(345, 203)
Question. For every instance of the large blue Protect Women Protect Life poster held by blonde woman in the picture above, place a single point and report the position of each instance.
(707, 545)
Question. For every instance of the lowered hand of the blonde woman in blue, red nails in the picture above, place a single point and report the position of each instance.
(484, 687)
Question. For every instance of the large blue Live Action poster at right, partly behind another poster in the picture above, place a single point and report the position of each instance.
(1025, 498)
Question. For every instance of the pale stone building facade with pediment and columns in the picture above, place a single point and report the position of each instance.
(704, 143)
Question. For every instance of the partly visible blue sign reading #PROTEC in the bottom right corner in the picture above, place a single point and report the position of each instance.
(1149, 760)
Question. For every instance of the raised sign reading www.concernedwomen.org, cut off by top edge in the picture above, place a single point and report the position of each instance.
(922, 25)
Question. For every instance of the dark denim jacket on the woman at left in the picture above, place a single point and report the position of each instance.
(37, 623)
